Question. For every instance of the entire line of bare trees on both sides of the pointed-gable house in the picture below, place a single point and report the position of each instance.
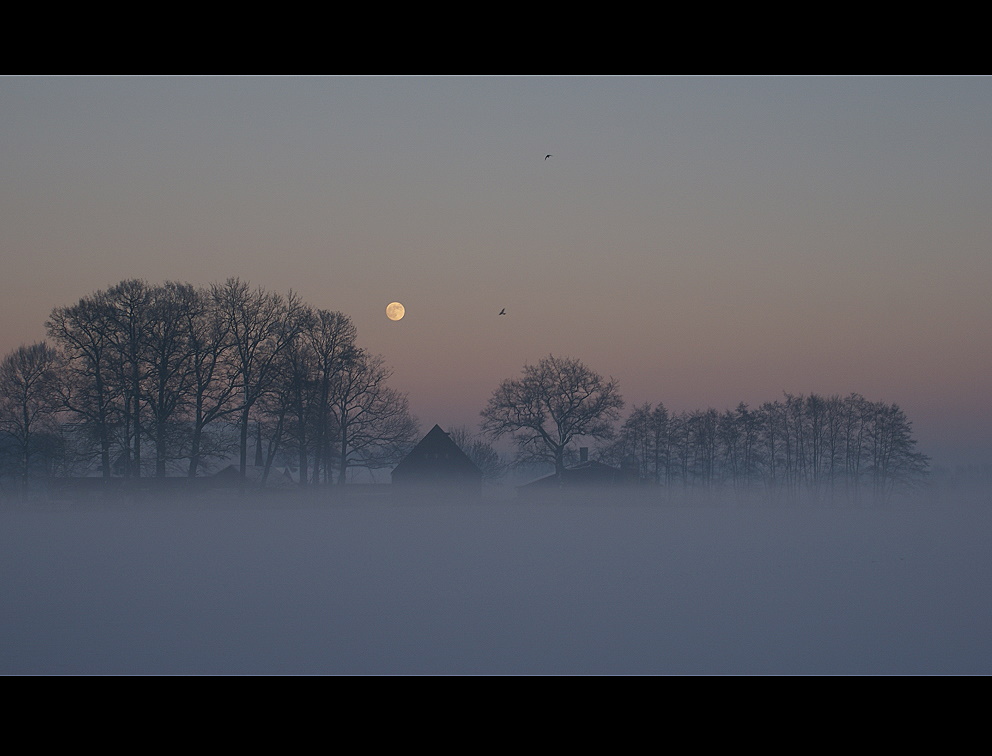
(145, 380)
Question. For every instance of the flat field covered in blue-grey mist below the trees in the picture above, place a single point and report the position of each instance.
(499, 587)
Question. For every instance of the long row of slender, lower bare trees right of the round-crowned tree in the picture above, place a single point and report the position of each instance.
(814, 446)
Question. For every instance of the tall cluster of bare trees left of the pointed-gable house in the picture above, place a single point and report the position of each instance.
(147, 380)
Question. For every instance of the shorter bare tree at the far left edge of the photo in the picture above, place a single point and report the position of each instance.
(29, 399)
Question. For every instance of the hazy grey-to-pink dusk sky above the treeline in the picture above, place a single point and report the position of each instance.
(704, 240)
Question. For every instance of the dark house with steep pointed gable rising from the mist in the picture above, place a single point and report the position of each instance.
(438, 462)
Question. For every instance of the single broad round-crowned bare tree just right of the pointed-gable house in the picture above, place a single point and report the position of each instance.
(553, 403)
